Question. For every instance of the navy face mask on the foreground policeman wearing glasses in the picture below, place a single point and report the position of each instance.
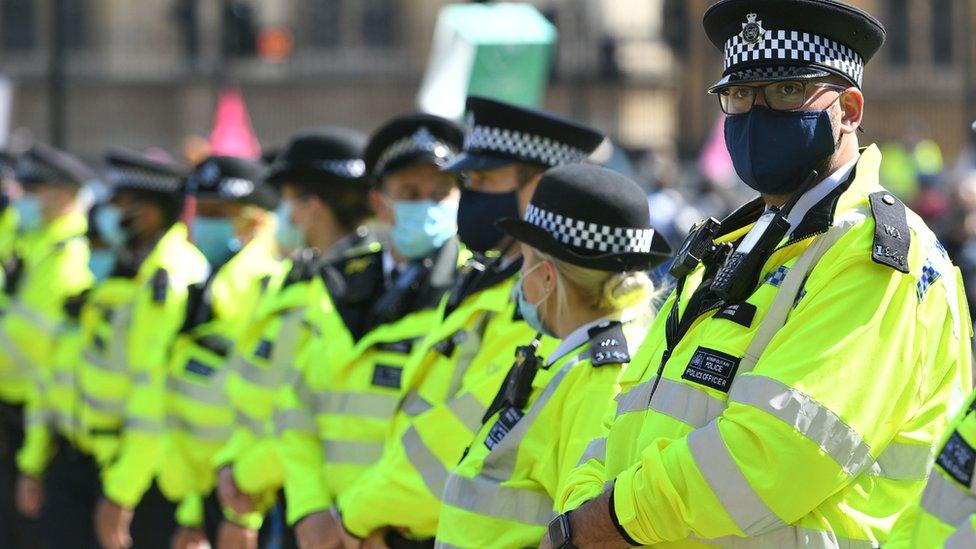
(774, 152)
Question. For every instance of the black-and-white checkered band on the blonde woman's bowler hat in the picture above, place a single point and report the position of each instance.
(590, 236)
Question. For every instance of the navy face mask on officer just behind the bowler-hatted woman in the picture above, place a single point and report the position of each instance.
(477, 213)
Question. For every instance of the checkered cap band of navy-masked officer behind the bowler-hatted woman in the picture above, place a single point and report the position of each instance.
(527, 147)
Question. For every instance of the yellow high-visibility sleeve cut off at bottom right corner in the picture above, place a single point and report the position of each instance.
(945, 516)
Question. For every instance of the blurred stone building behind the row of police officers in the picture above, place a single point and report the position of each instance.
(145, 72)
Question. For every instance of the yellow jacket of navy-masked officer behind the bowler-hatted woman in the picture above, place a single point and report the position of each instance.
(448, 384)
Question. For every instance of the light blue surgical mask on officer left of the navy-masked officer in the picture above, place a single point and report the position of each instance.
(422, 226)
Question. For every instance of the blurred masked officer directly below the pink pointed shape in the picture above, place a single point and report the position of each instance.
(235, 228)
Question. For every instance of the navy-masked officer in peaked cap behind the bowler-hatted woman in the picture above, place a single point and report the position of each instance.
(506, 150)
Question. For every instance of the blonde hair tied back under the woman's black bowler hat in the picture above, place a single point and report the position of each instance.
(608, 292)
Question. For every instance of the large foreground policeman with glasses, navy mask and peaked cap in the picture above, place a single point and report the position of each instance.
(792, 389)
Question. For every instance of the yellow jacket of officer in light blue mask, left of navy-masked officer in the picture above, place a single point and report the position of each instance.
(333, 421)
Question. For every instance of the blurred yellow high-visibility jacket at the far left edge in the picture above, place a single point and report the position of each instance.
(53, 267)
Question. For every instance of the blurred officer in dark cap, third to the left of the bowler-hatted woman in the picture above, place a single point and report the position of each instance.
(320, 175)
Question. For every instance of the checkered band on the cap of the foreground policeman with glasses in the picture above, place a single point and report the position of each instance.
(785, 45)
